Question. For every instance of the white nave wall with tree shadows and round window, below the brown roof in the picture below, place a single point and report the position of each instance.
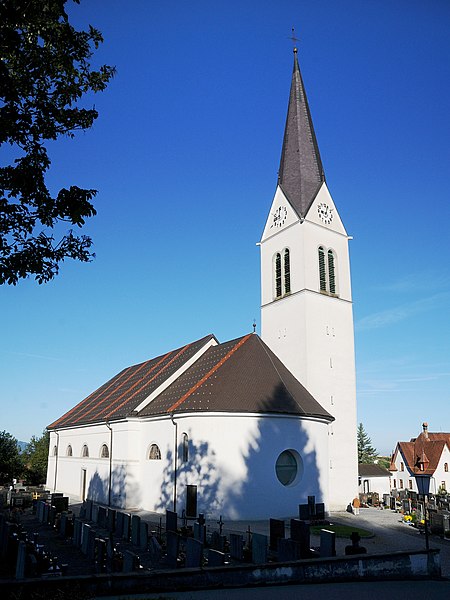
(231, 458)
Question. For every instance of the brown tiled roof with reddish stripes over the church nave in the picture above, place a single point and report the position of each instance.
(242, 375)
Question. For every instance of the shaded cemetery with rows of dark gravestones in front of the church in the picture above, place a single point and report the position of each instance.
(106, 549)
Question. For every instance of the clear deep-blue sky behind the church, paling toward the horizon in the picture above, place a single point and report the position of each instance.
(185, 156)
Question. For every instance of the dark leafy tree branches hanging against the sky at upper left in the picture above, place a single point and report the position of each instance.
(44, 73)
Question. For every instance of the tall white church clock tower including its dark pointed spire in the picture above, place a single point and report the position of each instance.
(306, 301)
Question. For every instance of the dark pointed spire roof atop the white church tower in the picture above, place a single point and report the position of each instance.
(301, 173)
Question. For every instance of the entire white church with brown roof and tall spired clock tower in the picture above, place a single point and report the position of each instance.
(252, 426)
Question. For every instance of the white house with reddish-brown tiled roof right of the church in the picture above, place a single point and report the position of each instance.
(428, 454)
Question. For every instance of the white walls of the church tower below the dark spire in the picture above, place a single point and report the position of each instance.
(311, 330)
